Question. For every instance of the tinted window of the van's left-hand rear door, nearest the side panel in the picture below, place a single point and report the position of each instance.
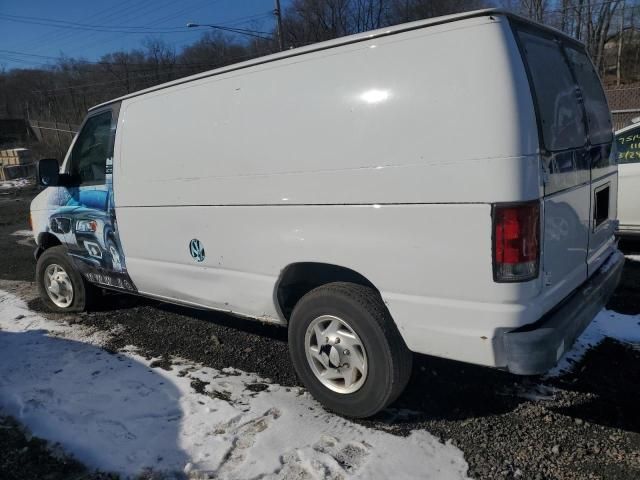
(561, 116)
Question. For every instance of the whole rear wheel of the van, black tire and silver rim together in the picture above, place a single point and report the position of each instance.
(347, 350)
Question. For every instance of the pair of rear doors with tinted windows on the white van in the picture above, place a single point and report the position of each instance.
(575, 141)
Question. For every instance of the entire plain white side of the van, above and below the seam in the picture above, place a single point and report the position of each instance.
(381, 156)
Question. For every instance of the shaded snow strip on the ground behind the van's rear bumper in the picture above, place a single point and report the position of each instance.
(620, 327)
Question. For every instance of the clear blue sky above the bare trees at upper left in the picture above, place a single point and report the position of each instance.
(28, 39)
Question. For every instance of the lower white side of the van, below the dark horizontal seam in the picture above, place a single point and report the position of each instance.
(247, 247)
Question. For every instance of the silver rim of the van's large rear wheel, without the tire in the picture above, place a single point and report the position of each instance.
(336, 354)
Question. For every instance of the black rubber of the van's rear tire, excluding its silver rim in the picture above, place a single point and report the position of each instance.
(389, 359)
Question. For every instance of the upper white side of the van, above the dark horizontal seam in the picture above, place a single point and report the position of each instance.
(441, 114)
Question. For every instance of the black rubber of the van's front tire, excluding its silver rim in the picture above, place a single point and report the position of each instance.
(84, 294)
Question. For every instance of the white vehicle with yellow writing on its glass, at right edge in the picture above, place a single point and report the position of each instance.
(627, 151)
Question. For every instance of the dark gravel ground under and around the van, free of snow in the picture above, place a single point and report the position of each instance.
(584, 424)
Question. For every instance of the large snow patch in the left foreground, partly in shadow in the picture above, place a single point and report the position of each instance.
(115, 413)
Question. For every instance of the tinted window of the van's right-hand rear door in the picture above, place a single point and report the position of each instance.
(595, 102)
